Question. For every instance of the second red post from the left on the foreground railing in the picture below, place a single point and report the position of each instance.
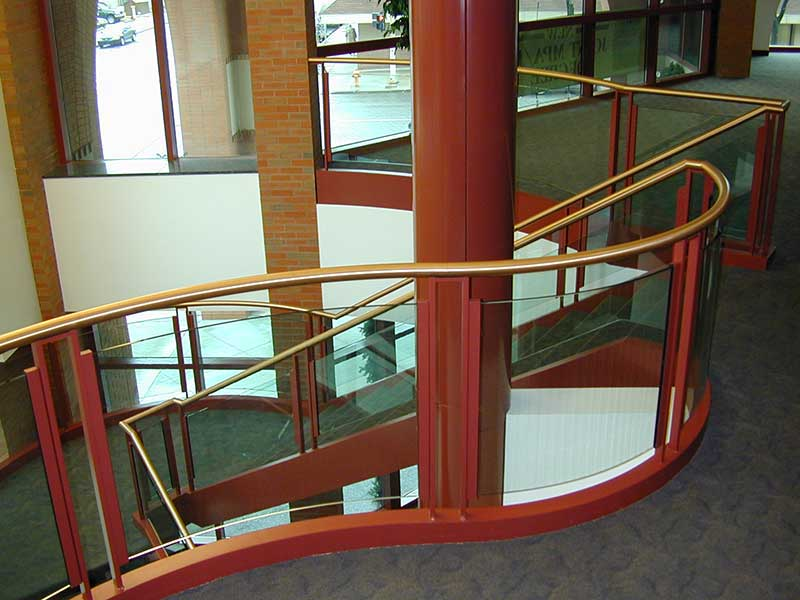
(102, 470)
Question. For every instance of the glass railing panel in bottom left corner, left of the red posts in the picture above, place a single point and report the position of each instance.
(33, 565)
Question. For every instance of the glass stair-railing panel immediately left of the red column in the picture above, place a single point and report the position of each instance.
(369, 378)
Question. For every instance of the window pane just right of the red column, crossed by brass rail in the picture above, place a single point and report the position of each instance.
(554, 49)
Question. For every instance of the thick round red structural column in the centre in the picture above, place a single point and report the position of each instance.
(464, 87)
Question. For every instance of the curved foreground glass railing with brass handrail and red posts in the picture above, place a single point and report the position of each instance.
(347, 385)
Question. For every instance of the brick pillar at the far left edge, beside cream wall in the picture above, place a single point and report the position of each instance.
(30, 104)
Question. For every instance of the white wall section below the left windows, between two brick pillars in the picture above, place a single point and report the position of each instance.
(124, 236)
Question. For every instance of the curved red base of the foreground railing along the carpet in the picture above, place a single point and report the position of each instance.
(408, 527)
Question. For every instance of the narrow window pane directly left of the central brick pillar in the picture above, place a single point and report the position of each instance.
(210, 75)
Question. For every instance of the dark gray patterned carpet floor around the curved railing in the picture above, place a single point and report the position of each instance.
(728, 526)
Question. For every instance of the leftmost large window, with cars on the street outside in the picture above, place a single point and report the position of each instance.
(106, 56)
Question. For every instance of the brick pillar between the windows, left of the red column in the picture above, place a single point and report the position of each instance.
(279, 39)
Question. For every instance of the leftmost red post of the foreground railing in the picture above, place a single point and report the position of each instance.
(56, 470)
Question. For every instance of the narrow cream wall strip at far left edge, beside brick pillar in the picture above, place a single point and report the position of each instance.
(18, 303)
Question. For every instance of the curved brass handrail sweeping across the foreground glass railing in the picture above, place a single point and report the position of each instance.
(170, 298)
